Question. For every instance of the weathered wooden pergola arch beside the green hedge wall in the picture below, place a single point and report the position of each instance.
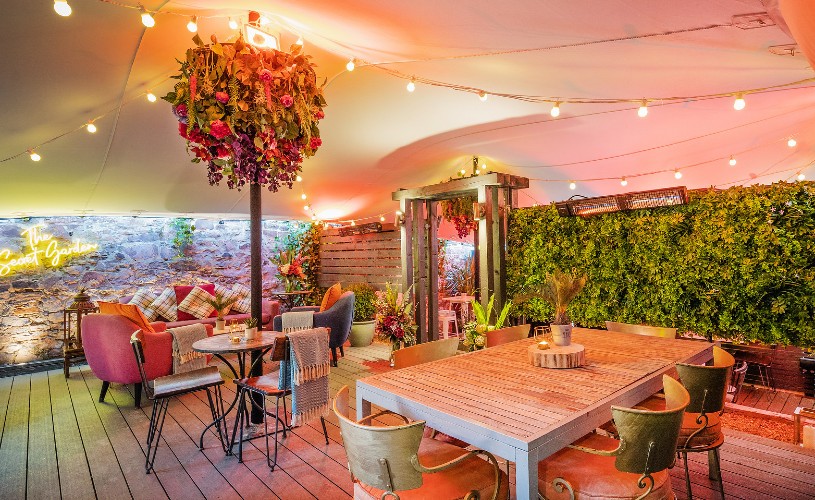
(497, 195)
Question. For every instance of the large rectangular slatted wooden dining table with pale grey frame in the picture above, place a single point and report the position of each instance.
(496, 400)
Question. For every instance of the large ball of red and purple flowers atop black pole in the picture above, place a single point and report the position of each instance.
(251, 115)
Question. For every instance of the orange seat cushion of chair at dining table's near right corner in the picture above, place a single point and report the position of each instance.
(594, 476)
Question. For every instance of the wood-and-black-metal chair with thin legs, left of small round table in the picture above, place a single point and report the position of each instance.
(162, 389)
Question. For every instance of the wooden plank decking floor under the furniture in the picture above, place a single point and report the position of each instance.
(58, 441)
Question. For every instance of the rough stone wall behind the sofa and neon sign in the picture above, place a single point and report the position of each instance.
(133, 252)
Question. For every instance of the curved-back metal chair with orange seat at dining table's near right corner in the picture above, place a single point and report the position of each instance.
(634, 466)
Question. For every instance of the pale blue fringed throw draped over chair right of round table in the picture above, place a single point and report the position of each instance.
(306, 373)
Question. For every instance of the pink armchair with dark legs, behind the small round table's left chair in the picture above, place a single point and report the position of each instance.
(106, 340)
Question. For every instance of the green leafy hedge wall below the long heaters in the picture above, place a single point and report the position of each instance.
(736, 263)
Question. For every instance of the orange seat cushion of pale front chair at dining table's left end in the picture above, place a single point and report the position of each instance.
(453, 483)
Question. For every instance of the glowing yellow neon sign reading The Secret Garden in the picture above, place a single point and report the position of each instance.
(43, 249)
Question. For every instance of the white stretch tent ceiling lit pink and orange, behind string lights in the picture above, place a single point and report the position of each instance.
(101, 61)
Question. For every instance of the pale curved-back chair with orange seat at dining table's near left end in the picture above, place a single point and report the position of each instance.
(391, 459)
